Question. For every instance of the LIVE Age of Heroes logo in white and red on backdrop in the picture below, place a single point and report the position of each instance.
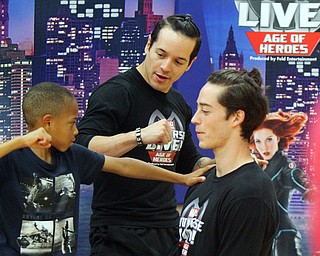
(281, 28)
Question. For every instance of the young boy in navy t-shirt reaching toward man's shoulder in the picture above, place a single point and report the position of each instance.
(39, 191)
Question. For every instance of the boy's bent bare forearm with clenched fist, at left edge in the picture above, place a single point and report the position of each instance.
(36, 138)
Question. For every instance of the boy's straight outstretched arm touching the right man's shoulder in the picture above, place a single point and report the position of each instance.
(133, 168)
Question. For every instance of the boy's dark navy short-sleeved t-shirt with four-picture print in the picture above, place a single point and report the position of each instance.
(39, 202)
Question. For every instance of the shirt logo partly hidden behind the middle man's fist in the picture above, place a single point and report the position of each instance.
(164, 154)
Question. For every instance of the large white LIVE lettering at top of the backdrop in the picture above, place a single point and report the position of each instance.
(279, 16)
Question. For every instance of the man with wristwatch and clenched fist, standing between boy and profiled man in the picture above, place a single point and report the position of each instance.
(138, 114)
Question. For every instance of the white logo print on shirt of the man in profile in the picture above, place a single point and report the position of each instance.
(190, 224)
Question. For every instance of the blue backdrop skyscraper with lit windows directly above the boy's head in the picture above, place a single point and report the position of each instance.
(69, 53)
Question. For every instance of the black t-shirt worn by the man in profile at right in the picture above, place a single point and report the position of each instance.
(236, 214)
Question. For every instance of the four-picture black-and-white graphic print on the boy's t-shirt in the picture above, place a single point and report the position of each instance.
(48, 221)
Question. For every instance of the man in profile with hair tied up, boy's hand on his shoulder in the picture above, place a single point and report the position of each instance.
(235, 212)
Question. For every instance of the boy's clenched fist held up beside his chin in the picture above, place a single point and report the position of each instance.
(38, 138)
